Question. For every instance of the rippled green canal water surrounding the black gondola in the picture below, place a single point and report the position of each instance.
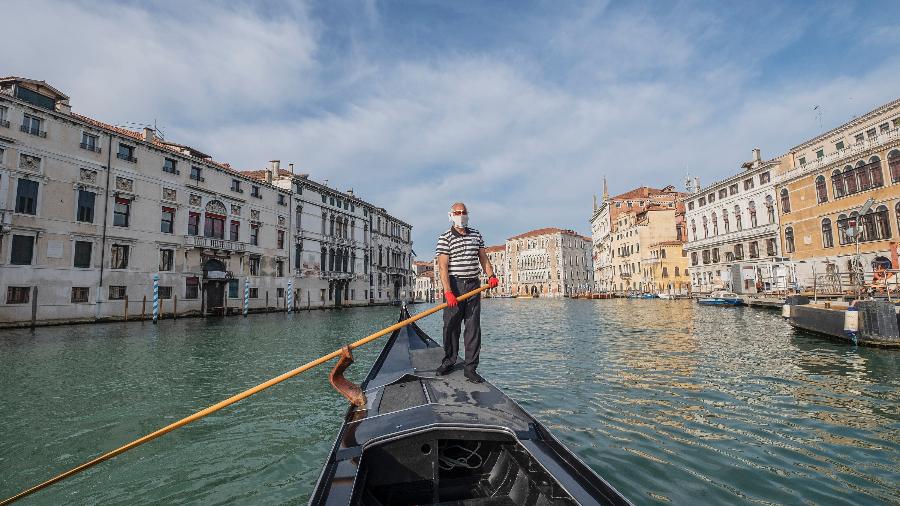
(670, 402)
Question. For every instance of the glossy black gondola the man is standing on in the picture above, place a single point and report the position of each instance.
(424, 439)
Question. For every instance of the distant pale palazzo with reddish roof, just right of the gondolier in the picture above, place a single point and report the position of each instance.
(549, 262)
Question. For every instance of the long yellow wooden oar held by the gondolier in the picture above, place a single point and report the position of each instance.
(231, 400)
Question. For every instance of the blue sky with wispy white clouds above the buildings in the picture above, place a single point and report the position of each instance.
(517, 109)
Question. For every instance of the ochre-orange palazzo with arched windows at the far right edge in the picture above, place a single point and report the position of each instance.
(829, 178)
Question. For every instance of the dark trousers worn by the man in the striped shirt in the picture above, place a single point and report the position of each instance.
(468, 310)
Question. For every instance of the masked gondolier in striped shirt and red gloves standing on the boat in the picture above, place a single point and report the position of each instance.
(460, 250)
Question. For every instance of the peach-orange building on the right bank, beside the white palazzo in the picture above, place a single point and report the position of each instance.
(635, 232)
